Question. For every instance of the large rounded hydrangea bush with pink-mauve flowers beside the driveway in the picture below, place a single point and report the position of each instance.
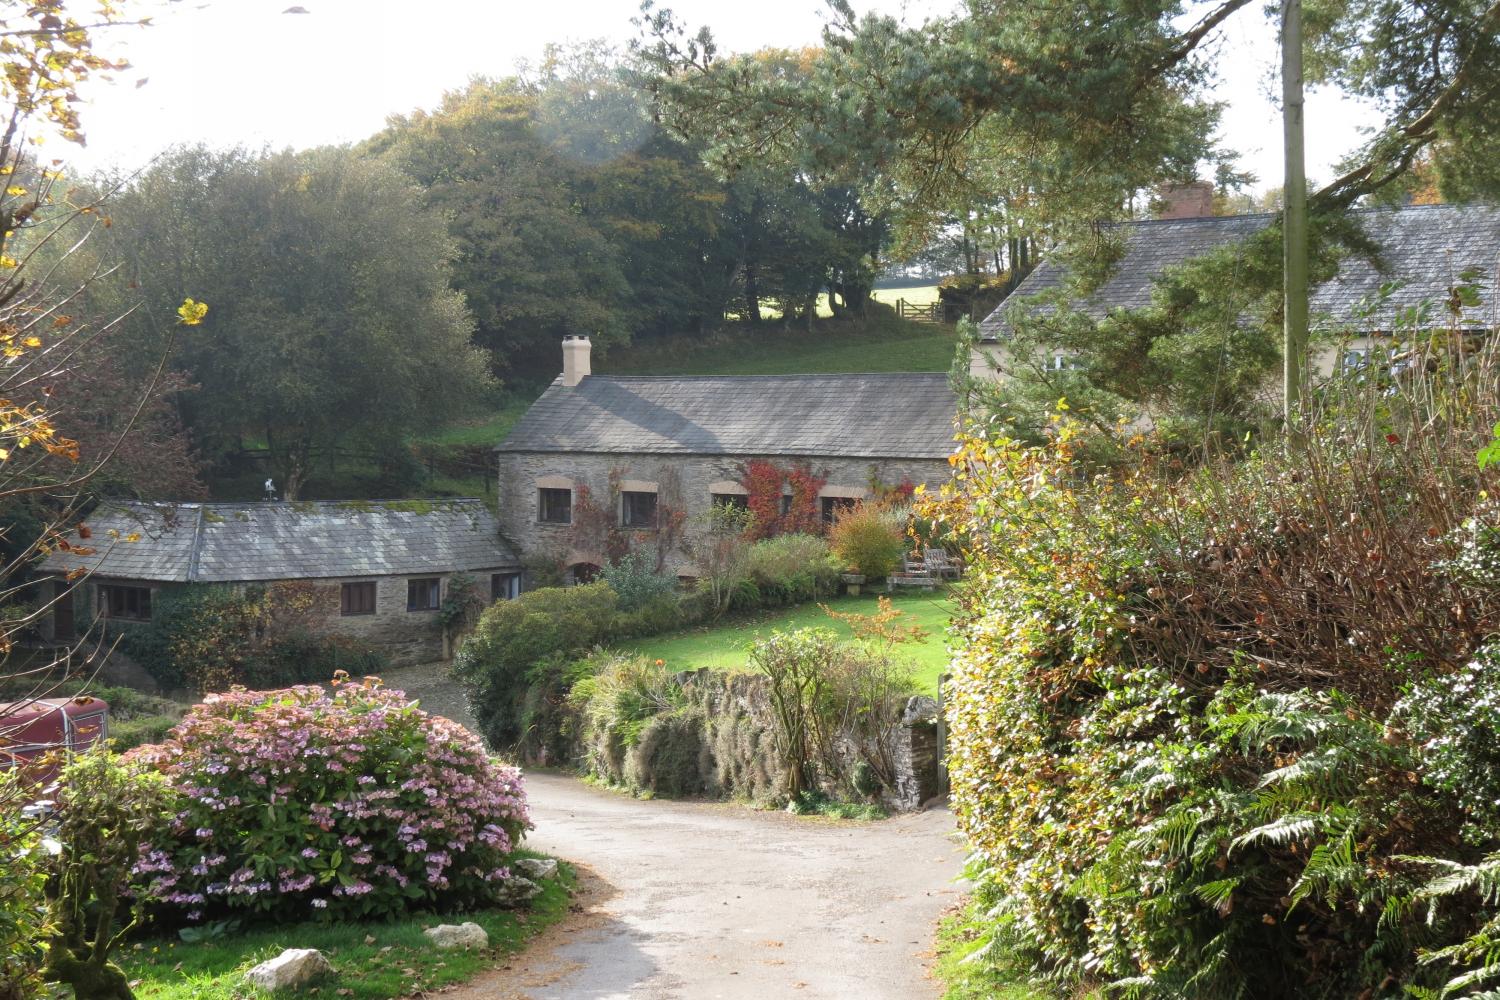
(353, 804)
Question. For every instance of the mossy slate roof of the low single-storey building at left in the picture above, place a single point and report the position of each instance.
(287, 540)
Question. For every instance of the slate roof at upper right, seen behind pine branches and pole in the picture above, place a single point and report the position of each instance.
(1415, 241)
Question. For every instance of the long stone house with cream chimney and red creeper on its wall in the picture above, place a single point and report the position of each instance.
(647, 457)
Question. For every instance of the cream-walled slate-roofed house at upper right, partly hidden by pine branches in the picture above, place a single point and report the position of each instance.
(1423, 250)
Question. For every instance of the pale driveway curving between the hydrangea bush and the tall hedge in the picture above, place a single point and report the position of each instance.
(703, 900)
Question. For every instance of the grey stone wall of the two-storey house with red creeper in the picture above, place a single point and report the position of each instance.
(683, 484)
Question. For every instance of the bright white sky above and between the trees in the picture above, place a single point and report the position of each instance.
(245, 73)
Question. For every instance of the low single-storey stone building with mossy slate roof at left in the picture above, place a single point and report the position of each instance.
(383, 569)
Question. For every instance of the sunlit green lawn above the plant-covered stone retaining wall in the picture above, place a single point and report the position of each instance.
(724, 647)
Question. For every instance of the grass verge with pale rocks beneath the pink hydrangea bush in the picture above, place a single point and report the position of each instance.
(373, 962)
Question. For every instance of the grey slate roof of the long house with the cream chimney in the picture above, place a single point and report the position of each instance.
(895, 416)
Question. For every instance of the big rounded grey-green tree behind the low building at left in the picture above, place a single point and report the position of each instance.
(334, 322)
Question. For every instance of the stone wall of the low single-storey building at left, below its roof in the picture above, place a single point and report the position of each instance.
(407, 638)
